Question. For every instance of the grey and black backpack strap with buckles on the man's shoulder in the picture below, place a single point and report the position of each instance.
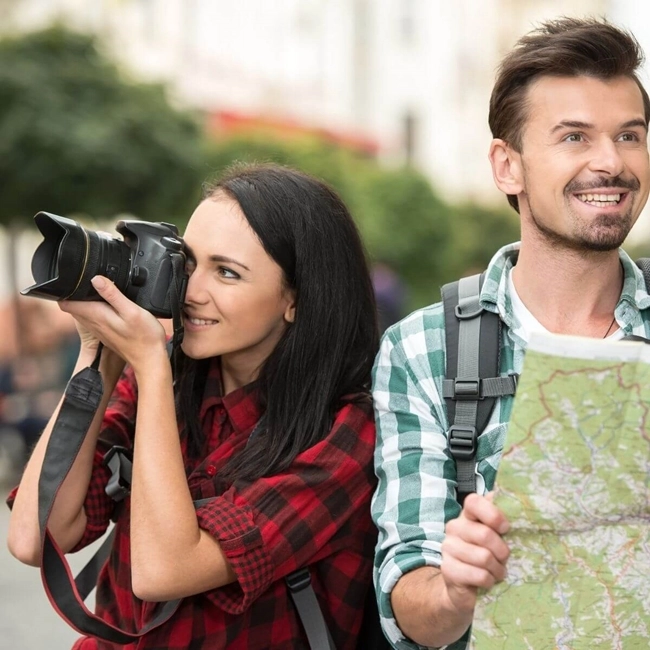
(472, 384)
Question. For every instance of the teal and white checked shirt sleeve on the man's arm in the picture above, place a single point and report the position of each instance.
(417, 477)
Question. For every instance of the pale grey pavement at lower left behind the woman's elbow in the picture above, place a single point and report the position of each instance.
(27, 619)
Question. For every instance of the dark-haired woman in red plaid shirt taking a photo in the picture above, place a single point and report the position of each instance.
(280, 336)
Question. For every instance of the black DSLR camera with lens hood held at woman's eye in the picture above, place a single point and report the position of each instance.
(148, 266)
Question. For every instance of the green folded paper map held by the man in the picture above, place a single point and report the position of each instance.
(574, 482)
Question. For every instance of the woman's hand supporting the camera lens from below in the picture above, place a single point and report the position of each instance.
(121, 325)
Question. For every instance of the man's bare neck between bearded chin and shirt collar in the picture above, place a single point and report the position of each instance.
(569, 292)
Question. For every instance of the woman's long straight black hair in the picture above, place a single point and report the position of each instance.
(328, 351)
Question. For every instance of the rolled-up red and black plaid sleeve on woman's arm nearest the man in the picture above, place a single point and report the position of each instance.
(277, 524)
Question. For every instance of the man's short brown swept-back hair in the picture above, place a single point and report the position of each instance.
(566, 47)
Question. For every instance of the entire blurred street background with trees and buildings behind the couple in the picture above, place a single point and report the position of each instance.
(113, 109)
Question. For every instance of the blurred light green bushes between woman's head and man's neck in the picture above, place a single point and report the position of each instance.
(403, 221)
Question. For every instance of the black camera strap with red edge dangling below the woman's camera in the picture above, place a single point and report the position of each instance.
(82, 398)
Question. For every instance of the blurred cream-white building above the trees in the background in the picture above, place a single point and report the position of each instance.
(404, 80)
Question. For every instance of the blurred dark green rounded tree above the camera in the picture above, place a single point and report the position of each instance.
(78, 138)
